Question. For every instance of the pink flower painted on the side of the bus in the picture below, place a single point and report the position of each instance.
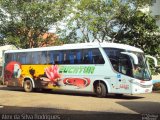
(52, 73)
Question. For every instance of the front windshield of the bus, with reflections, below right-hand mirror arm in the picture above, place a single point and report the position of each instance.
(140, 71)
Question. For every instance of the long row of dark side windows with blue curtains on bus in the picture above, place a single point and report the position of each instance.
(84, 56)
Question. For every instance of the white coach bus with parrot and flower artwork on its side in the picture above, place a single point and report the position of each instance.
(98, 68)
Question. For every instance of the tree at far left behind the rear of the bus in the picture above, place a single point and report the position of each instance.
(22, 22)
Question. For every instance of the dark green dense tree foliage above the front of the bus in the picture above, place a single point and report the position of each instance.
(141, 31)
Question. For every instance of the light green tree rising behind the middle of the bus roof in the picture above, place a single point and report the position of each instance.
(91, 19)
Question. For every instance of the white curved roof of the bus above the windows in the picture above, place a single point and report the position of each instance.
(80, 46)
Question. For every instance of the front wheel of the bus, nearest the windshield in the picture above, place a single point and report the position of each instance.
(100, 90)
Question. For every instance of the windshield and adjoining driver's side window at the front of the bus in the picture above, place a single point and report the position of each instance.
(123, 63)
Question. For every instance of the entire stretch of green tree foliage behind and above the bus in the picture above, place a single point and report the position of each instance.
(23, 22)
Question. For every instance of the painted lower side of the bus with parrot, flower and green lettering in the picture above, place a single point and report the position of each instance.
(64, 77)
